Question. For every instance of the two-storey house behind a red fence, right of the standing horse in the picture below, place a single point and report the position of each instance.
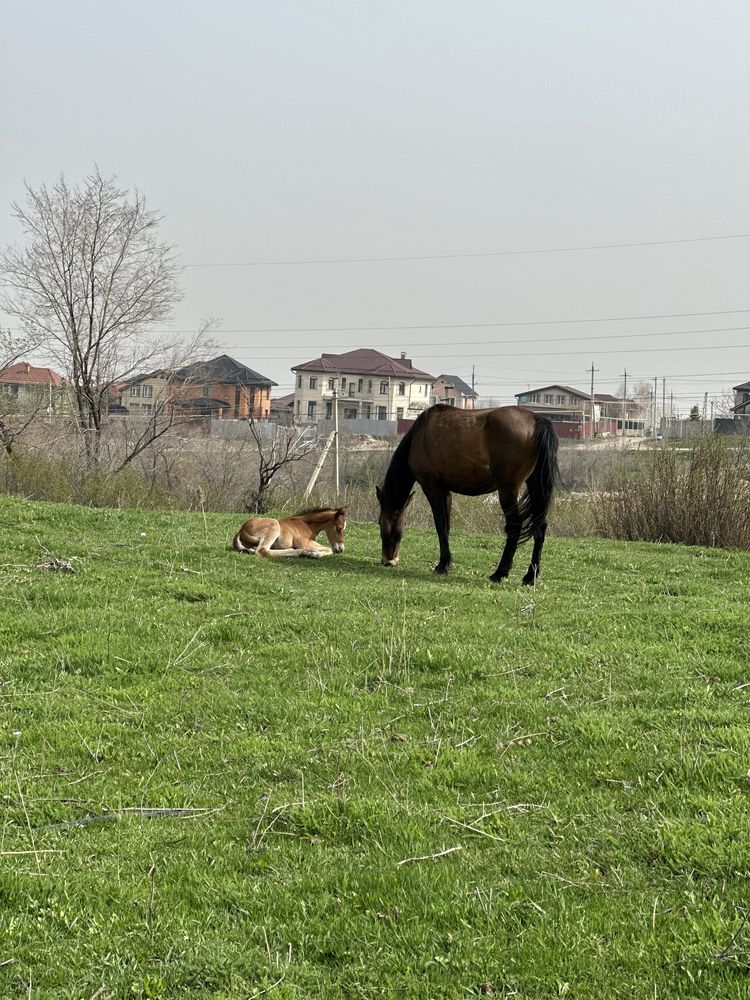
(569, 410)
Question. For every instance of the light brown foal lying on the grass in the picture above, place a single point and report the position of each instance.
(293, 536)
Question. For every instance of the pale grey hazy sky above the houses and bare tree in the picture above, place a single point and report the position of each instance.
(325, 131)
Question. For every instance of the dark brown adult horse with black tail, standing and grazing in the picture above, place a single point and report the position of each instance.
(473, 452)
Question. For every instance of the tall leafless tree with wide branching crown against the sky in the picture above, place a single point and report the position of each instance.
(89, 283)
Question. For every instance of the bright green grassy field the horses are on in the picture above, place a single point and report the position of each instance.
(226, 777)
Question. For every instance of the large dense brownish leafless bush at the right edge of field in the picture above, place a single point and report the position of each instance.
(695, 497)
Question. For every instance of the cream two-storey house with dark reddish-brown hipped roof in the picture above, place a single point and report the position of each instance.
(369, 386)
